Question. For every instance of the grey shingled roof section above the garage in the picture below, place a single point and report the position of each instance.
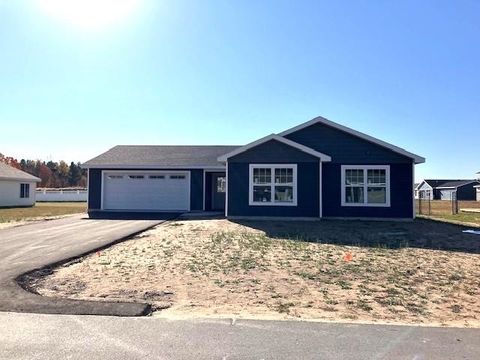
(160, 156)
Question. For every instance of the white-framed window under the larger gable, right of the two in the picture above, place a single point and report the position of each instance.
(365, 185)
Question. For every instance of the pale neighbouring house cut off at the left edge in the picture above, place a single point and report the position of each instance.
(17, 188)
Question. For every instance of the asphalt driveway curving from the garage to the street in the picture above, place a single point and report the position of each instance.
(33, 246)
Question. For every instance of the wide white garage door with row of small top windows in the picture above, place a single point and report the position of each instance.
(156, 191)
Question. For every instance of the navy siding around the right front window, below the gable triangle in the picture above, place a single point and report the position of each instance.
(401, 193)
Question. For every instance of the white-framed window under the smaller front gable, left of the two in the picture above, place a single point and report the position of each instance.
(273, 184)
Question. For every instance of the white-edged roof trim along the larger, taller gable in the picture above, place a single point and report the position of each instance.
(321, 120)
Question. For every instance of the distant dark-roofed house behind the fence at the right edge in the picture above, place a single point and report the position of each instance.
(444, 189)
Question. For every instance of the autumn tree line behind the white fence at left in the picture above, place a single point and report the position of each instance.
(53, 174)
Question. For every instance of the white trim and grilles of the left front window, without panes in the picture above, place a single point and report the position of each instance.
(272, 167)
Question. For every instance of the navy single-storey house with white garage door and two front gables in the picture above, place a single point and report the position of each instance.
(319, 169)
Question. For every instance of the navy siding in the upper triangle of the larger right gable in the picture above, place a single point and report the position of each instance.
(343, 147)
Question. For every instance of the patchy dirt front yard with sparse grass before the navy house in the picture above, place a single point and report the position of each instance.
(420, 272)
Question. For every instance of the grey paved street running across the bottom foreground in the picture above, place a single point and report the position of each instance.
(30, 336)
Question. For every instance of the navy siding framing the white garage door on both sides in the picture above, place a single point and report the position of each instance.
(95, 187)
